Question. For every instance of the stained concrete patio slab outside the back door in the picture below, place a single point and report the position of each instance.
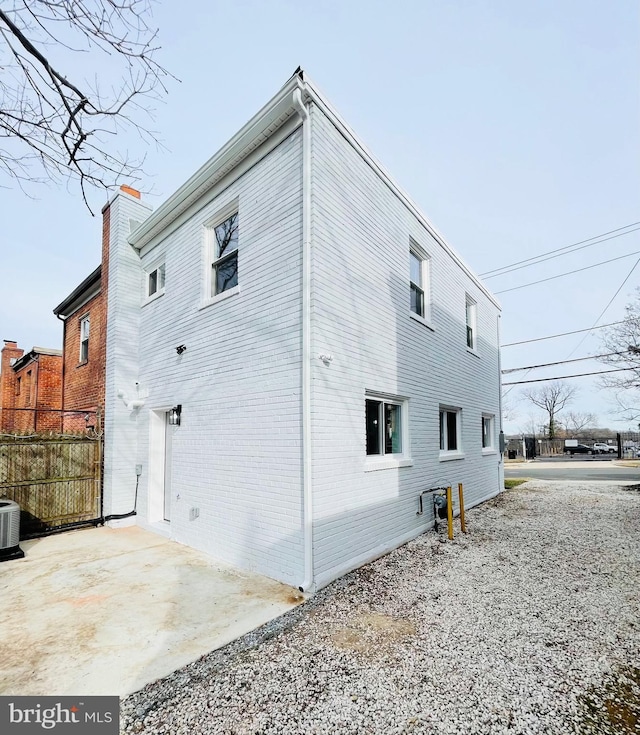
(106, 611)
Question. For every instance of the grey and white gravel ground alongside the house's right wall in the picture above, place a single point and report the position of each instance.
(528, 624)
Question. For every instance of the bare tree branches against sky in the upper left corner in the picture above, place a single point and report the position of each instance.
(54, 122)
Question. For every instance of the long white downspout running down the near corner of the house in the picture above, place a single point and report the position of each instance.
(307, 510)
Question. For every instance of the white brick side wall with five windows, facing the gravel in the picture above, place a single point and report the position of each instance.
(360, 315)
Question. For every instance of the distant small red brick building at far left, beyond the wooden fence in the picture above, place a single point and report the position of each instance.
(30, 389)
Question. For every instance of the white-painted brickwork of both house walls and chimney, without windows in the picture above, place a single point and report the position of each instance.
(237, 457)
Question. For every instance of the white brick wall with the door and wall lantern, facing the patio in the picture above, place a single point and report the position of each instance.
(237, 453)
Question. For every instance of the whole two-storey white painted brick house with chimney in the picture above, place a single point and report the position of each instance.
(339, 357)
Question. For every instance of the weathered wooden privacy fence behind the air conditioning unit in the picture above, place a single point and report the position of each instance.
(56, 482)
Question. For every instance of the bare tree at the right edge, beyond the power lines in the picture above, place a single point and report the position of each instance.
(621, 345)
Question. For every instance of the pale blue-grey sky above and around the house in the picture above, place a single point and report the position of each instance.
(513, 125)
